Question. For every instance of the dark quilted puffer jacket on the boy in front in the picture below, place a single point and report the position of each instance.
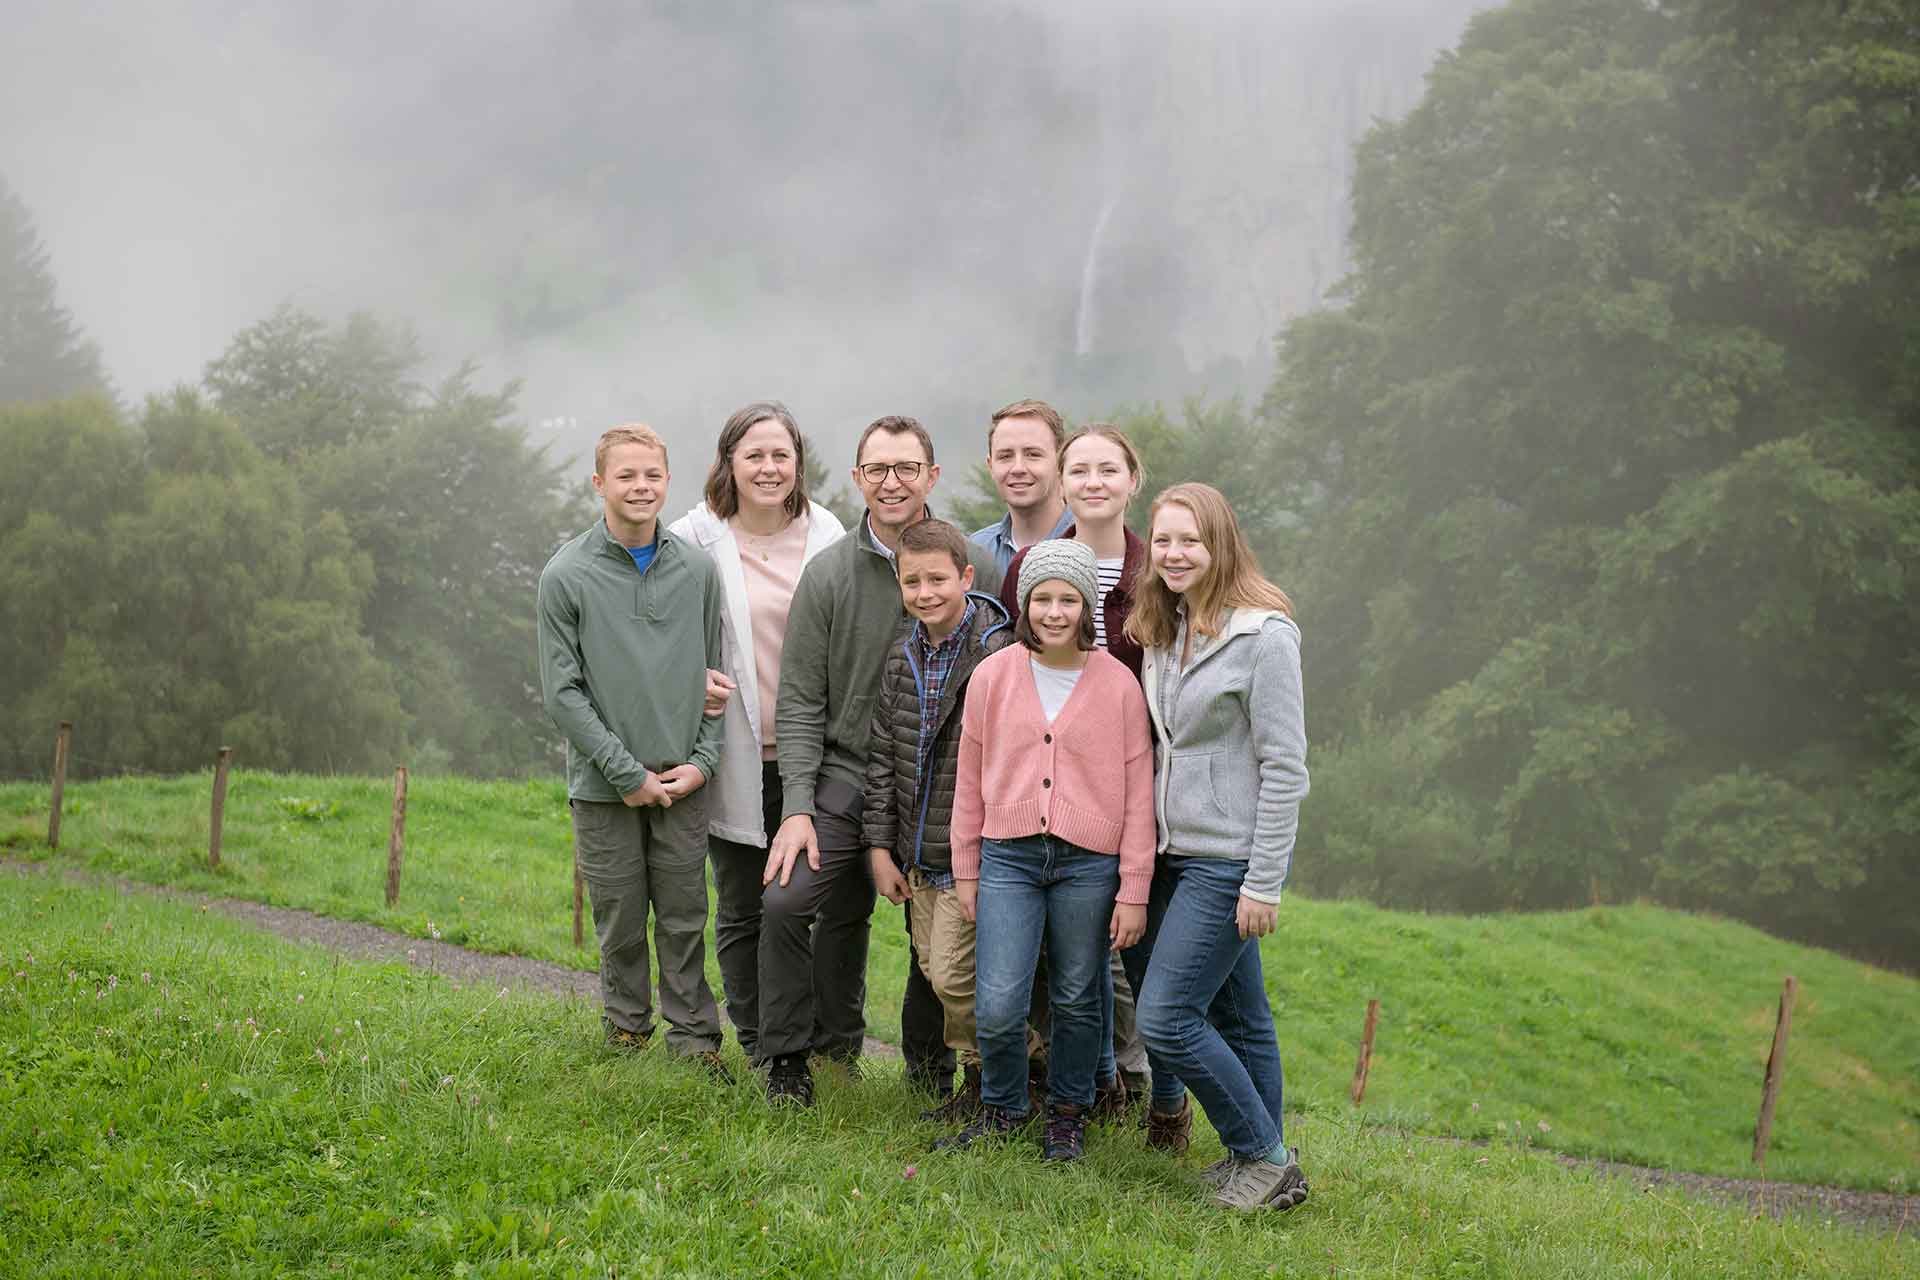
(911, 811)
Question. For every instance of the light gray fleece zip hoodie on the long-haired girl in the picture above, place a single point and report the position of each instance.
(1232, 763)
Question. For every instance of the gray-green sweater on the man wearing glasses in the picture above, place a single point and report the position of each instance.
(838, 634)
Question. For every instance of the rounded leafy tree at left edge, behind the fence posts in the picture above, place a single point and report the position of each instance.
(166, 590)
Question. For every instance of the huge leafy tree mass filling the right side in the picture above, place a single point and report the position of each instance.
(1606, 471)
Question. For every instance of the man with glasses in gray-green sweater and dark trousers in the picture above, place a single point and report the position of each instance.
(819, 891)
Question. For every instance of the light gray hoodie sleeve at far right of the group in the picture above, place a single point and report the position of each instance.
(1278, 715)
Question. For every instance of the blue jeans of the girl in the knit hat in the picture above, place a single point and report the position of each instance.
(1028, 888)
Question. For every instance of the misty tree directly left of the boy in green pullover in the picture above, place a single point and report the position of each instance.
(454, 510)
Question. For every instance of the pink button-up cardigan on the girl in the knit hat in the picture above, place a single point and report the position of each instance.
(1086, 778)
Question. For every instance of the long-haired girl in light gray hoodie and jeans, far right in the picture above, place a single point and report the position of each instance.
(1222, 676)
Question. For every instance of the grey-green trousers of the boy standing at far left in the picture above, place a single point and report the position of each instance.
(636, 861)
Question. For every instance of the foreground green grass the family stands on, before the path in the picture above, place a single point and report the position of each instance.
(181, 1095)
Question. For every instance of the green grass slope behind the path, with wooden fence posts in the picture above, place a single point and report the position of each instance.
(1625, 1033)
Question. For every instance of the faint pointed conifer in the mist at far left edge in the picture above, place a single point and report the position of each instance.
(43, 354)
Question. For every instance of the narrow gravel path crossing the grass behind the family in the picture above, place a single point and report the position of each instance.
(1875, 1210)
